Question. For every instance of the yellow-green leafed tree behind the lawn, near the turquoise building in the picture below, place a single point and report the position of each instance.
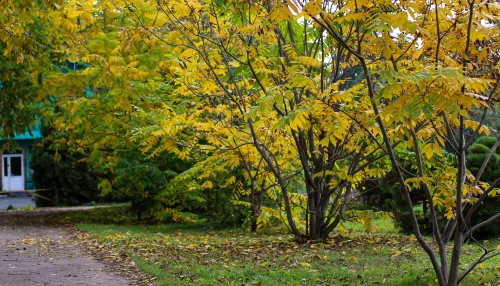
(99, 101)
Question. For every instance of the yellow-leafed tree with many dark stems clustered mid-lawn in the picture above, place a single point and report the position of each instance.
(275, 74)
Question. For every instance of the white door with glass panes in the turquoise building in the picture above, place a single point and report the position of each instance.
(13, 172)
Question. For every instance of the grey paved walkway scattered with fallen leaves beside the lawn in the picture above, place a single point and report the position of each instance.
(34, 251)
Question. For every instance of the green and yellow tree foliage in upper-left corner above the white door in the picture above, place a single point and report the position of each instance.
(24, 58)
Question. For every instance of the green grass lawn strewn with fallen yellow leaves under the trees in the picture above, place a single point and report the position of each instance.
(196, 255)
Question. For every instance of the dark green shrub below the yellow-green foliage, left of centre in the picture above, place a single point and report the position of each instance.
(147, 183)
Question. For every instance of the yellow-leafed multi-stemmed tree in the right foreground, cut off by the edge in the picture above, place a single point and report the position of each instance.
(426, 65)
